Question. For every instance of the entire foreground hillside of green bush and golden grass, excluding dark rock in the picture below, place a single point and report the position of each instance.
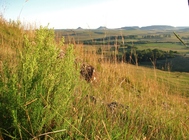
(43, 97)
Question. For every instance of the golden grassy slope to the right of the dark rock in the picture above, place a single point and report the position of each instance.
(155, 94)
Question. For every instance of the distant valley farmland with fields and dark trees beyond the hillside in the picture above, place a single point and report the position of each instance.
(122, 43)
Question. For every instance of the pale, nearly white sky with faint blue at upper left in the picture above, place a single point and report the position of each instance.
(91, 14)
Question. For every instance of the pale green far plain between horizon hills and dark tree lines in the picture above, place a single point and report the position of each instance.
(85, 34)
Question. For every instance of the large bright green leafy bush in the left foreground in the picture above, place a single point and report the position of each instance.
(35, 92)
